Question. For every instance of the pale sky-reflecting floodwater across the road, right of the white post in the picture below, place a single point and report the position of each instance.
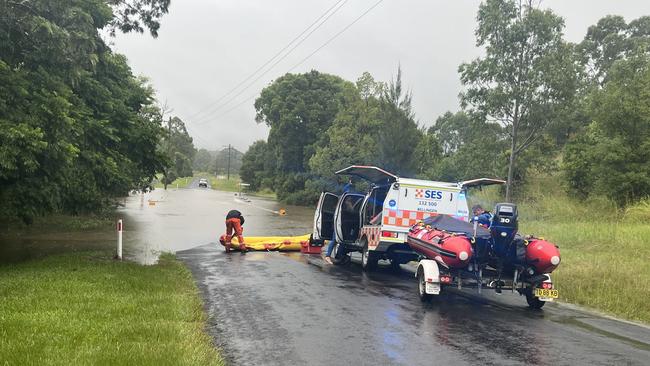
(178, 219)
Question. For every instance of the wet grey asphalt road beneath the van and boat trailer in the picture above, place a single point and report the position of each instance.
(291, 309)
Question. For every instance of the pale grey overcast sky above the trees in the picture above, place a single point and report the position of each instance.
(206, 48)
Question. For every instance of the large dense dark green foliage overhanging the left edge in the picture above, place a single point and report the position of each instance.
(76, 127)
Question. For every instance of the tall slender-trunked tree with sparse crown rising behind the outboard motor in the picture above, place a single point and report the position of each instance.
(526, 76)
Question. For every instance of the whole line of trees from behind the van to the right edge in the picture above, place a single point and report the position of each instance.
(533, 102)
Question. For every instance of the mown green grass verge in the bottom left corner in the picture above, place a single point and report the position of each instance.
(82, 309)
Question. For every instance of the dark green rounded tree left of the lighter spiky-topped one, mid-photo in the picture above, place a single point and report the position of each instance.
(298, 109)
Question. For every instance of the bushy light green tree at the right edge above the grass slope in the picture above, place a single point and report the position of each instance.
(612, 158)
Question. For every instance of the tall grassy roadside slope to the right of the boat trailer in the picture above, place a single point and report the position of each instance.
(605, 249)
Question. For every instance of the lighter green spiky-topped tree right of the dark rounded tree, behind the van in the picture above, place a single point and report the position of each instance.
(373, 127)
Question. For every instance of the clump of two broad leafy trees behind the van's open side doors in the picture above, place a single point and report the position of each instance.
(320, 124)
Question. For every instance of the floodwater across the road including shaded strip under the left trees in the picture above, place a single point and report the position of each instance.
(161, 221)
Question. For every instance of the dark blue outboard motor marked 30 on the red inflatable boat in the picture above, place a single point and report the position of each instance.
(503, 230)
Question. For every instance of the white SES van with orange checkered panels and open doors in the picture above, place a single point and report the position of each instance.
(376, 223)
